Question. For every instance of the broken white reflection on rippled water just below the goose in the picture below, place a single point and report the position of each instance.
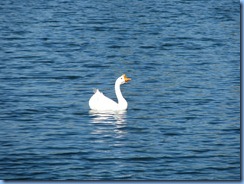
(104, 118)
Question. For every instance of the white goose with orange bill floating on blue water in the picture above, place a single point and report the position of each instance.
(102, 103)
